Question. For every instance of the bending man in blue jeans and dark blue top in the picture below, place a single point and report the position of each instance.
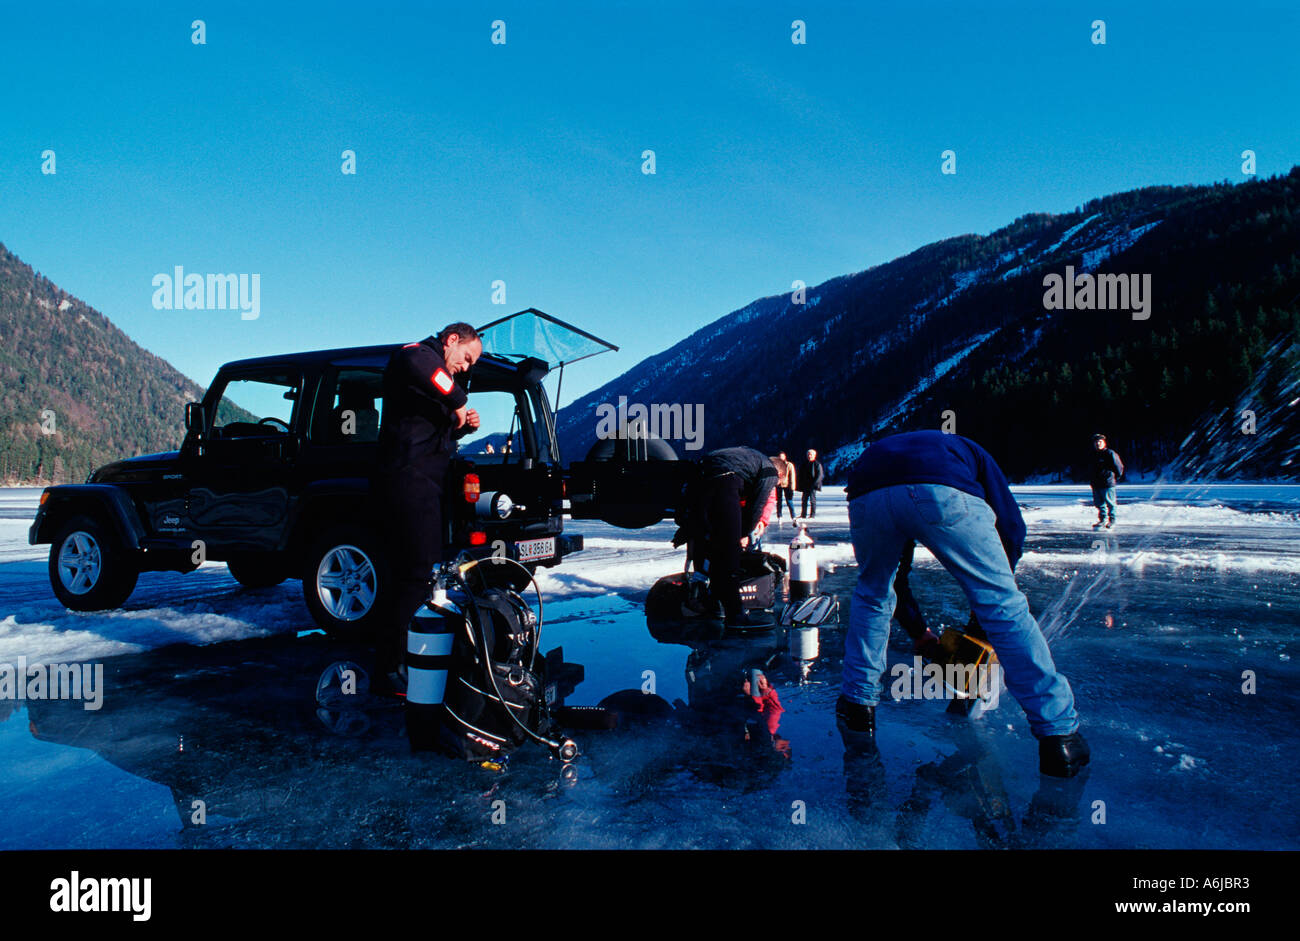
(947, 493)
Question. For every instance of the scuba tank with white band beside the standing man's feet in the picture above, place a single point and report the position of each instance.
(430, 641)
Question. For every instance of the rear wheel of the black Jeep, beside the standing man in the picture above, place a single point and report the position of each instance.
(344, 576)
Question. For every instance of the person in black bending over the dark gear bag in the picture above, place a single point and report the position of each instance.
(733, 500)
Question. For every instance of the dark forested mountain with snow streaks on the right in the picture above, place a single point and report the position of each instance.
(964, 327)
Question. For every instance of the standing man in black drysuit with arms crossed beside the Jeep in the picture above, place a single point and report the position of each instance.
(424, 413)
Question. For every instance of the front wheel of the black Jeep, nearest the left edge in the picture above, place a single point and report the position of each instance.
(89, 567)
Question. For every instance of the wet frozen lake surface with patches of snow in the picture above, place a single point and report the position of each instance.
(1158, 625)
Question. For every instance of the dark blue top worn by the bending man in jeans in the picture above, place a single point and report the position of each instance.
(947, 459)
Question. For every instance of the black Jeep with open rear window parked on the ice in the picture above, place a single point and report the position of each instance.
(283, 492)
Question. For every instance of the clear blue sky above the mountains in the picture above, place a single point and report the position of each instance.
(523, 162)
